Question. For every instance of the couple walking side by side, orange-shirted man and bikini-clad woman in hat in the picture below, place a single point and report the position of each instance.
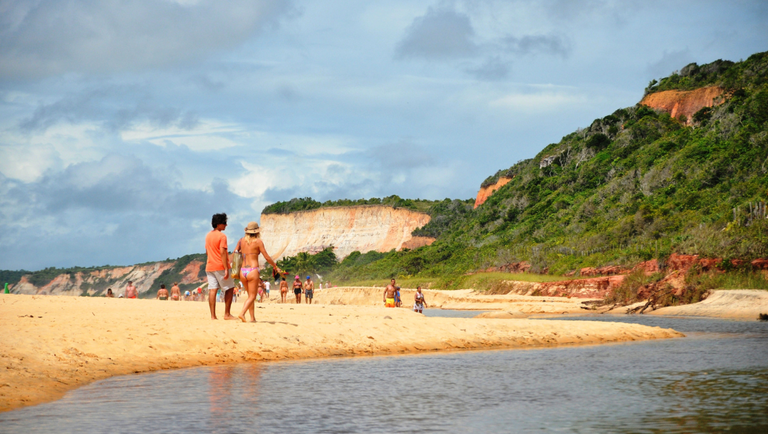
(218, 266)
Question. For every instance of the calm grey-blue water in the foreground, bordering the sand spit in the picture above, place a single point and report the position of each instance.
(712, 381)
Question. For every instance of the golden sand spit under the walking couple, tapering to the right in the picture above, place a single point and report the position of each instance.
(54, 344)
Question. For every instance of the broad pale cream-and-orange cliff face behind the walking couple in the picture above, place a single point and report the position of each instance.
(356, 228)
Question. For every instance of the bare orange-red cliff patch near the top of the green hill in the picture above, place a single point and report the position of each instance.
(678, 102)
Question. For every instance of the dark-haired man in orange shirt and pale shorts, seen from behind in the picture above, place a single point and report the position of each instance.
(217, 266)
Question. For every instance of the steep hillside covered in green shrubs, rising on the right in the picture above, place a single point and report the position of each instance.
(634, 185)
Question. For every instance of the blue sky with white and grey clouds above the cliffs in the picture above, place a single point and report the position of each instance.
(125, 125)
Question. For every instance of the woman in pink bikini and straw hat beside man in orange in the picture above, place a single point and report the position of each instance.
(251, 247)
